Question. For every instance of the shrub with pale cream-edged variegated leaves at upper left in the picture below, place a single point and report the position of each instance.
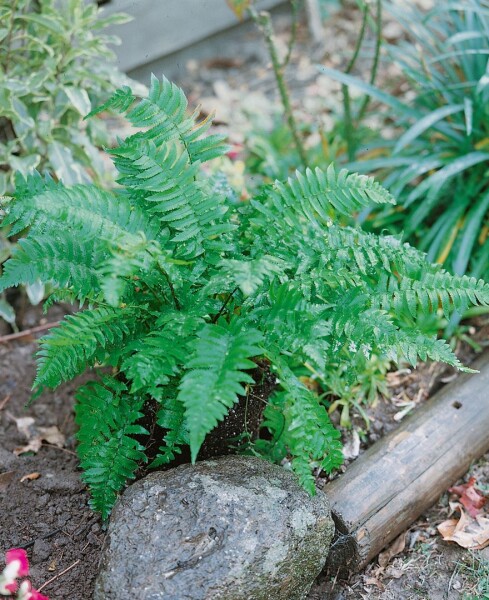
(54, 64)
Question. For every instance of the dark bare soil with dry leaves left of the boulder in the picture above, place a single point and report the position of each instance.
(43, 502)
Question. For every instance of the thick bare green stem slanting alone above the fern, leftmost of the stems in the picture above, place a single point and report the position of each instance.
(264, 23)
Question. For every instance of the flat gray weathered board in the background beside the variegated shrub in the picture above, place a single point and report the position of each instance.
(162, 27)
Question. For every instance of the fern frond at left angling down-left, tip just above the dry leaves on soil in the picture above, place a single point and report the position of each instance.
(81, 340)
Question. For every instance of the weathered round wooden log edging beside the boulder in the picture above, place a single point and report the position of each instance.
(403, 474)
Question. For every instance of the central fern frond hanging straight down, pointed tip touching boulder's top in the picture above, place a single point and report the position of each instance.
(216, 373)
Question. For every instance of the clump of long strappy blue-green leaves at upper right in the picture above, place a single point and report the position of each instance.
(437, 165)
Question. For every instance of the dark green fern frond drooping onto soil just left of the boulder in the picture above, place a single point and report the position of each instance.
(107, 417)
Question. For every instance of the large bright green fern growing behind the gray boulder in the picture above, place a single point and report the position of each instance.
(185, 292)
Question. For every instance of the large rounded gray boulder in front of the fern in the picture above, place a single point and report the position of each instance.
(234, 528)
